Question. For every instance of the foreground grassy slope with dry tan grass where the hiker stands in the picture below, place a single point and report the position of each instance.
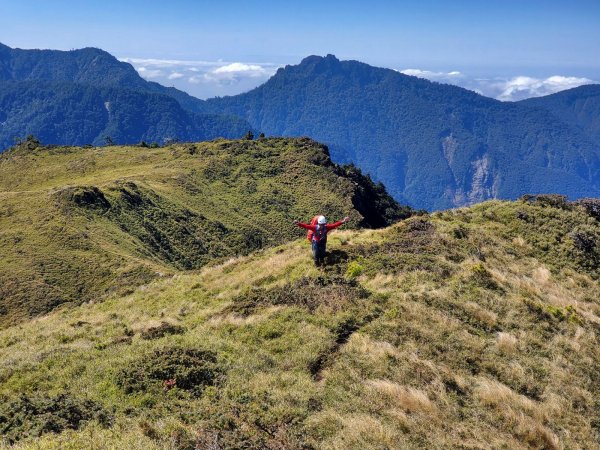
(472, 328)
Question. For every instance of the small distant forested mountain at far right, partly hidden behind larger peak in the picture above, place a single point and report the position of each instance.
(579, 107)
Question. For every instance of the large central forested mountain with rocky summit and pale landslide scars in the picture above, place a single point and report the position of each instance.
(433, 145)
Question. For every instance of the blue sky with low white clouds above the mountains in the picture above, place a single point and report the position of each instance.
(507, 49)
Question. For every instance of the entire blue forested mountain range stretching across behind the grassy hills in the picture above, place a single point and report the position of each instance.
(434, 146)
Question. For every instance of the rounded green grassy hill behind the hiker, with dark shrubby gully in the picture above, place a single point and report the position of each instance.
(79, 224)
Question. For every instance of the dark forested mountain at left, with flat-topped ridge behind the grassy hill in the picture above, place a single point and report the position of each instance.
(86, 96)
